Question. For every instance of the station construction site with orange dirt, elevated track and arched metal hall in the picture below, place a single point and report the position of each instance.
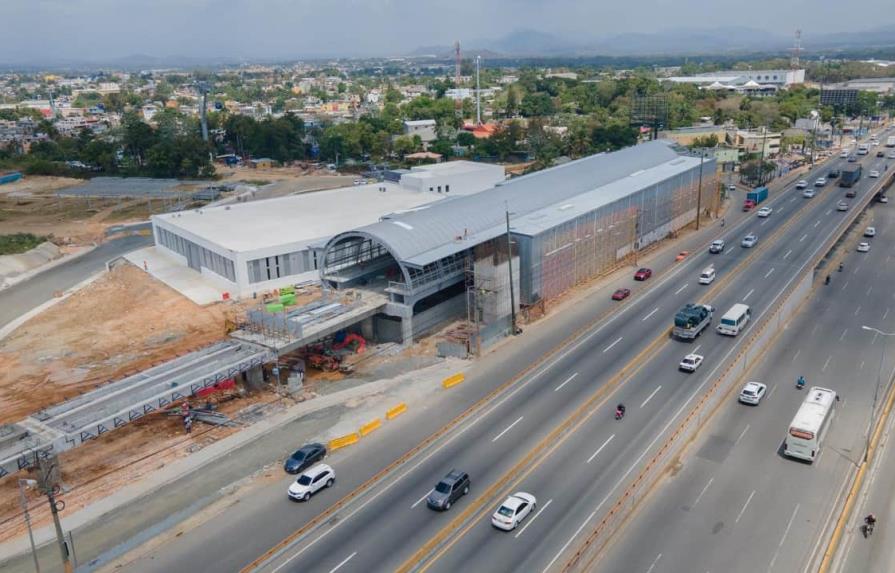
(120, 371)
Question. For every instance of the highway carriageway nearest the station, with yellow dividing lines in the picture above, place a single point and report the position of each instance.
(517, 439)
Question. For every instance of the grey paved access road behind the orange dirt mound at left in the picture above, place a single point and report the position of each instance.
(27, 295)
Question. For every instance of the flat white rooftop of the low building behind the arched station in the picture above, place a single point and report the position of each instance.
(300, 218)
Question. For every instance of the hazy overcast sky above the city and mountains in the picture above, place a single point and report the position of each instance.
(54, 30)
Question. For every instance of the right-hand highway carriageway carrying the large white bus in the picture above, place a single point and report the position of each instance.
(738, 504)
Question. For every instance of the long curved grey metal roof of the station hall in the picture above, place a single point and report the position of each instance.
(435, 231)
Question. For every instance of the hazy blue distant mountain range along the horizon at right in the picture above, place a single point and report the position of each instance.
(679, 41)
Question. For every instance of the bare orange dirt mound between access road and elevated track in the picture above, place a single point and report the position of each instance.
(124, 322)
